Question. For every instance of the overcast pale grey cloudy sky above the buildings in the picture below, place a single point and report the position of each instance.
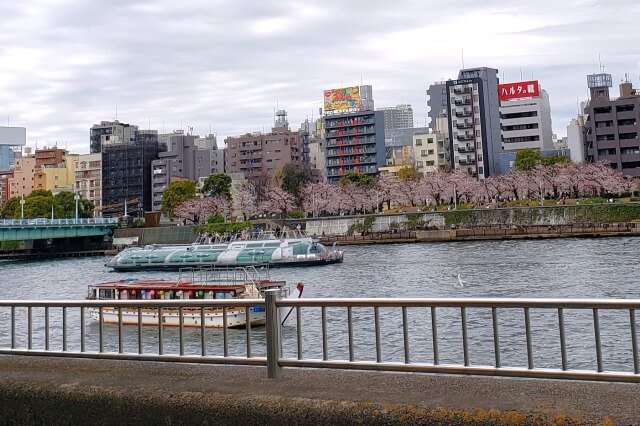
(224, 65)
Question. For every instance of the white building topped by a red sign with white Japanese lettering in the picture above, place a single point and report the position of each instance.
(526, 120)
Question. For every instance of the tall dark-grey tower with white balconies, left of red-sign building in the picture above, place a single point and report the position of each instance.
(474, 122)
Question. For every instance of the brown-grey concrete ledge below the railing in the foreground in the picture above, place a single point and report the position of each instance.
(40, 390)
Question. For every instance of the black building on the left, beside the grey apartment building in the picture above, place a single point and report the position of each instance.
(126, 174)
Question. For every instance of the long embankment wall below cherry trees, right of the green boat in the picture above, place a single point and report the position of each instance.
(553, 215)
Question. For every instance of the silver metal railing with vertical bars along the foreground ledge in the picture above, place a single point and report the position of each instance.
(586, 339)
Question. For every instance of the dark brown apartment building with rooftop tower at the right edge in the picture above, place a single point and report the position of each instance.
(612, 126)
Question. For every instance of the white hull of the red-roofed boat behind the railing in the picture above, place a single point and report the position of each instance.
(213, 318)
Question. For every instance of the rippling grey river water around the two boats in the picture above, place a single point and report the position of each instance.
(563, 268)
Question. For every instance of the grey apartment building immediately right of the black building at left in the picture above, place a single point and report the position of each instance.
(182, 160)
